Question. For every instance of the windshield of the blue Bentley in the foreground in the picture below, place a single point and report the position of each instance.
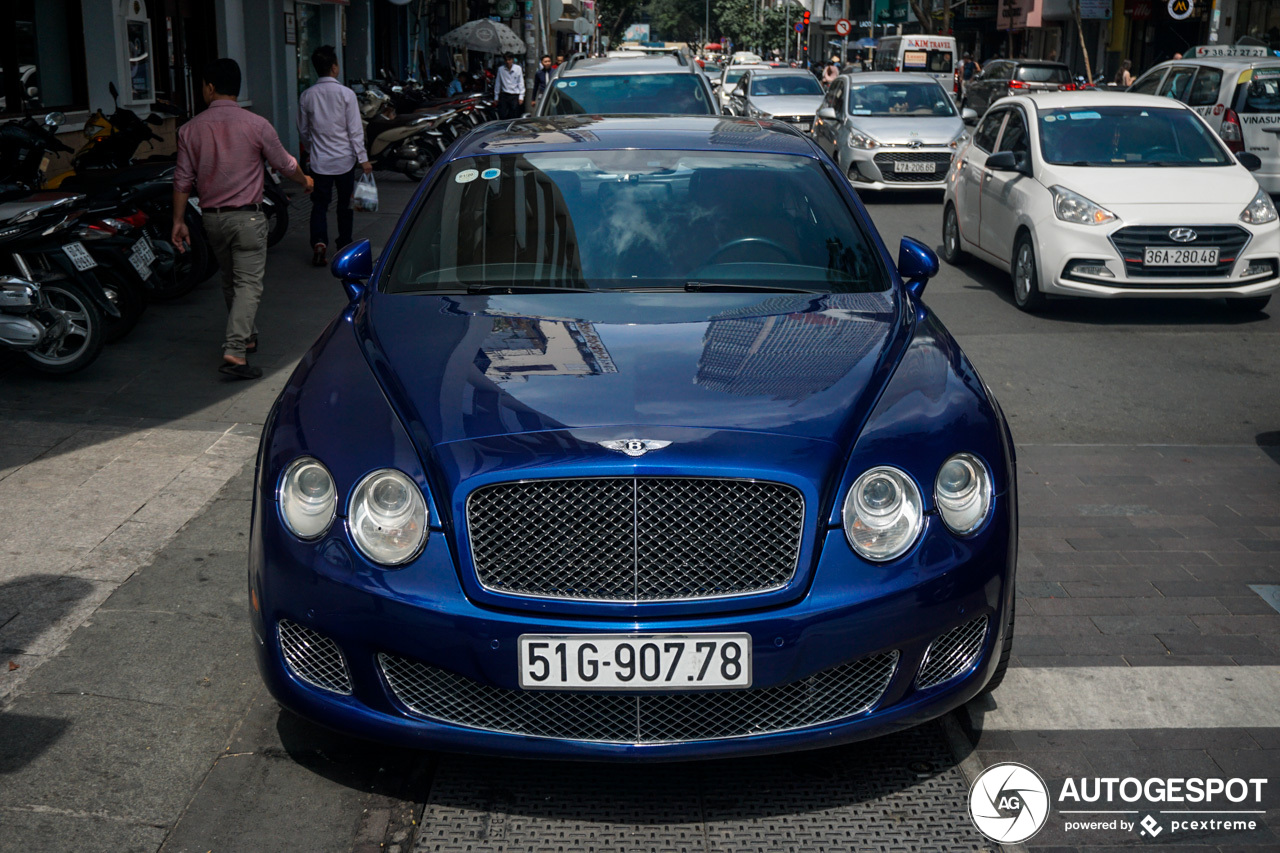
(636, 220)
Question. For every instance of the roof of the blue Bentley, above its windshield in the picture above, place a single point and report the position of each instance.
(671, 133)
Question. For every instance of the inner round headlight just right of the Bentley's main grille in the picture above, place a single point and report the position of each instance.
(883, 514)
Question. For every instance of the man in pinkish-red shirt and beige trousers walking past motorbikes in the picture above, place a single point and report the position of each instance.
(222, 152)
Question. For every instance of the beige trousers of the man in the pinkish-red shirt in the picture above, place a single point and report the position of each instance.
(239, 241)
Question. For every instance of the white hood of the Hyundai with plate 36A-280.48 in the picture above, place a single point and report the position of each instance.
(1180, 186)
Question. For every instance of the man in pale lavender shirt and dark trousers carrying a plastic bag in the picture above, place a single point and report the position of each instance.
(330, 126)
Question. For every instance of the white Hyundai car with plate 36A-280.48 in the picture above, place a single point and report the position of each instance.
(1094, 194)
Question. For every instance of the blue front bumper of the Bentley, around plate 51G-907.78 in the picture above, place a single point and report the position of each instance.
(852, 612)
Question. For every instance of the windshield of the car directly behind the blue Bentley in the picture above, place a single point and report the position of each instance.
(634, 94)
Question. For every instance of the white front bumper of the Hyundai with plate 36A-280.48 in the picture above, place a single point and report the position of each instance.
(1064, 248)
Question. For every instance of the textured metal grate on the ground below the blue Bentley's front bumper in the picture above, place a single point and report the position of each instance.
(902, 793)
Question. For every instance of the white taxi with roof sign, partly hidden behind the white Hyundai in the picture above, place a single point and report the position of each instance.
(1237, 90)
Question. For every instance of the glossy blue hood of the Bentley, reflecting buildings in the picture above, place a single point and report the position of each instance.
(460, 368)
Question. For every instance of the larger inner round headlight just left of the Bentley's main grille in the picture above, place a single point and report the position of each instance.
(388, 518)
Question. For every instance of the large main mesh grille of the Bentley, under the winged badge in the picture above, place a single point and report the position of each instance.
(636, 539)
